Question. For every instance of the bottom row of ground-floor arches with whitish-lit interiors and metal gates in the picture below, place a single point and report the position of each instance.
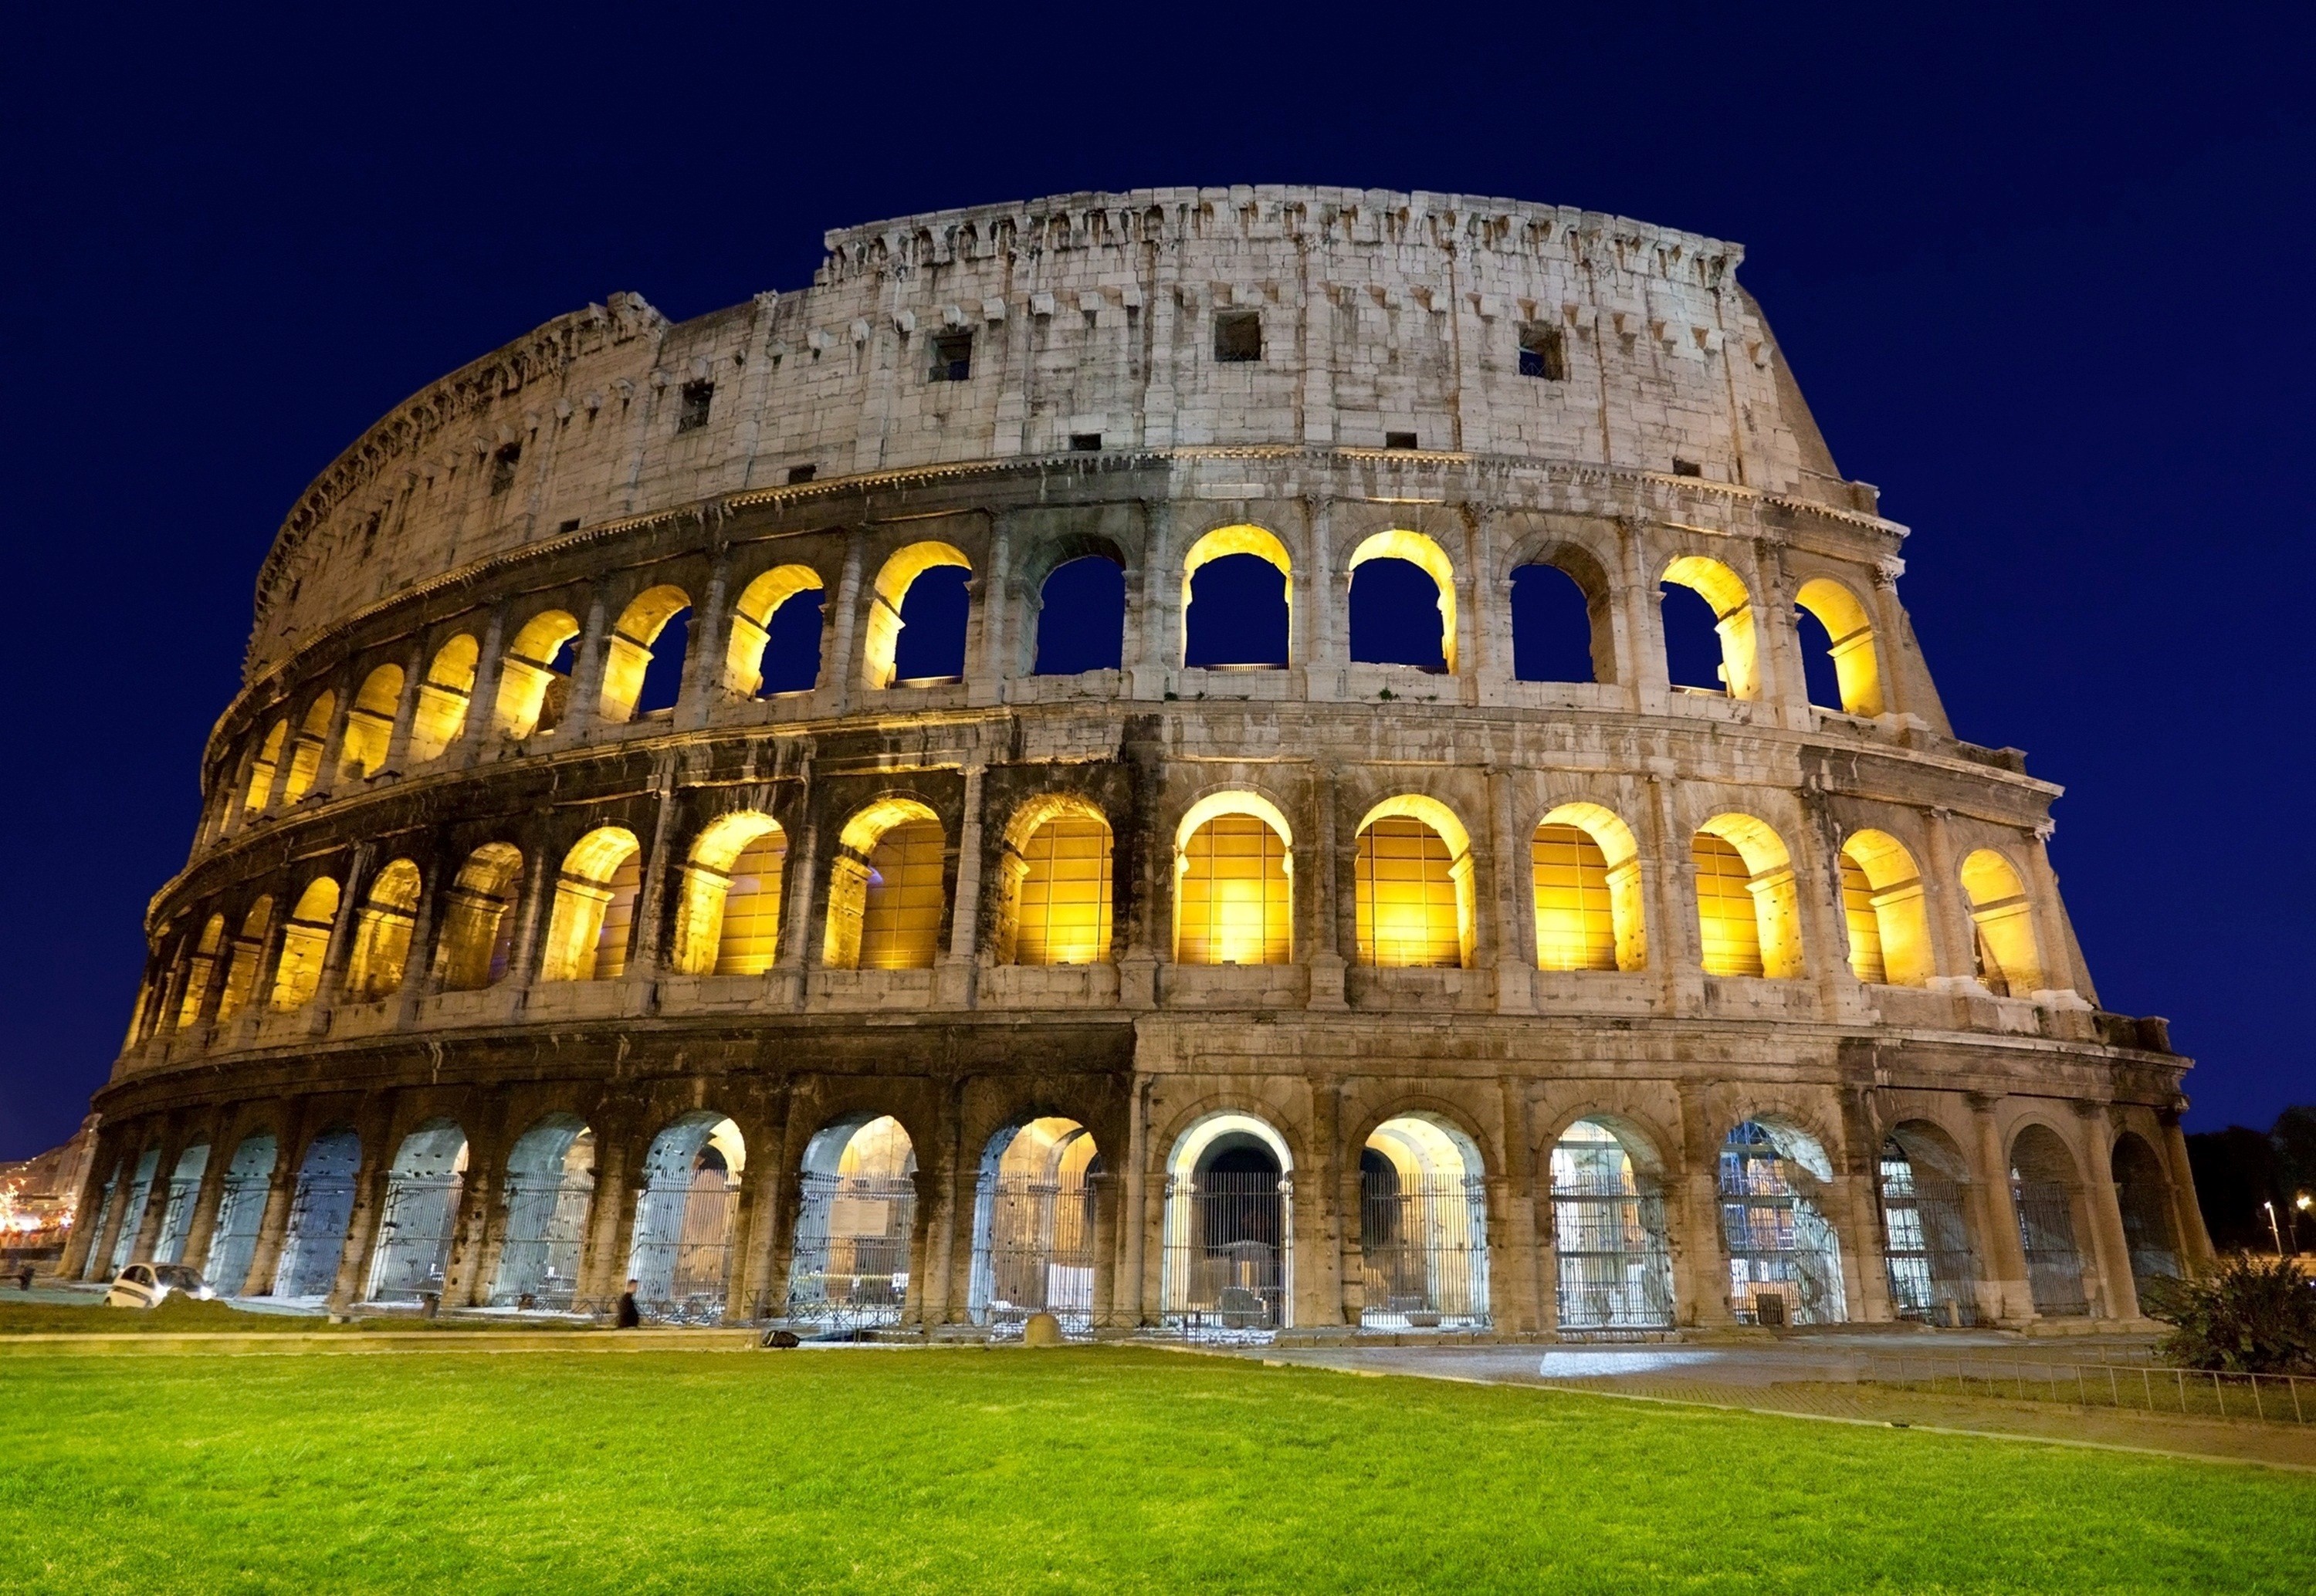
(1043, 1231)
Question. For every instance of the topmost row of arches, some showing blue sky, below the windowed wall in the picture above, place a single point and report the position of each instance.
(918, 622)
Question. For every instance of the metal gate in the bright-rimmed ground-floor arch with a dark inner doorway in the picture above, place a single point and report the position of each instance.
(1226, 1252)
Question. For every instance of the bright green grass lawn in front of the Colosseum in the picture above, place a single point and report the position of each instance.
(1025, 1472)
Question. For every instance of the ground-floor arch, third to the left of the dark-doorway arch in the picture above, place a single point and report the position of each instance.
(682, 1252)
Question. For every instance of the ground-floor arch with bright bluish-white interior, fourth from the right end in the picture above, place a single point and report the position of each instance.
(1782, 1247)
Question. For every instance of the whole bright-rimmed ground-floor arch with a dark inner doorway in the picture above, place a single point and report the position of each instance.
(1229, 1243)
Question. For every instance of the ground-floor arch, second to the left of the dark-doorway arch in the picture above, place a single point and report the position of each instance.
(856, 1217)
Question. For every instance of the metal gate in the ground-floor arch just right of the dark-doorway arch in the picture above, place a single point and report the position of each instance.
(1423, 1252)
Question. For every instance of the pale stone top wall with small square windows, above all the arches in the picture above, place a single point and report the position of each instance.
(1090, 316)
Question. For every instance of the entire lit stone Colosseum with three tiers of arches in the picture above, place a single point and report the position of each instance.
(884, 810)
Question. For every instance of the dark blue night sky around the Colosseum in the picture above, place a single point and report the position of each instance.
(2042, 277)
